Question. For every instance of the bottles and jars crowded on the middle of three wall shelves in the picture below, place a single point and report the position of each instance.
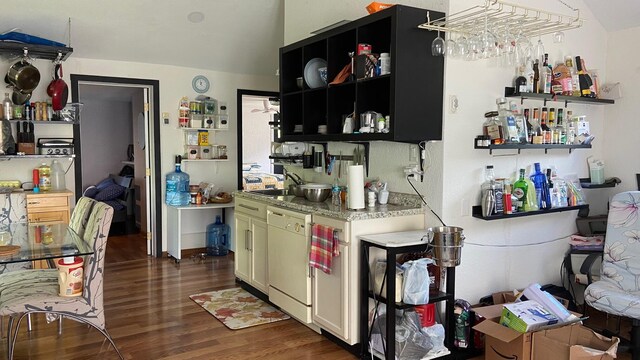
(510, 125)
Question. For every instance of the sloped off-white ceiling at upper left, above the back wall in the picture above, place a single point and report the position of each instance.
(234, 36)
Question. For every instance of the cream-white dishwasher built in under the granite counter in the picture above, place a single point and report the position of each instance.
(289, 235)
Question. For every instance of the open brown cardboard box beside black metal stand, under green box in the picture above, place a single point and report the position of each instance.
(502, 342)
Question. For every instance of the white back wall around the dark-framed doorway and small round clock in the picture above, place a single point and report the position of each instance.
(175, 82)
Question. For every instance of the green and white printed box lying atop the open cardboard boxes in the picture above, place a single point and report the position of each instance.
(526, 316)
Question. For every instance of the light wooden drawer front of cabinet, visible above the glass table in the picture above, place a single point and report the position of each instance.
(53, 207)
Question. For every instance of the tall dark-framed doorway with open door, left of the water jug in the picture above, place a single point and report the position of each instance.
(118, 136)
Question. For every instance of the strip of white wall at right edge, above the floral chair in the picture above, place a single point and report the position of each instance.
(622, 125)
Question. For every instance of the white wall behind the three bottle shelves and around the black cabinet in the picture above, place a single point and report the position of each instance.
(502, 254)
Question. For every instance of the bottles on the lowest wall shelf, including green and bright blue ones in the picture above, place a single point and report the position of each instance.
(539, 191)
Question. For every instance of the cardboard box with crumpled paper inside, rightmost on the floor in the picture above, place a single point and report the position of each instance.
(574, 342)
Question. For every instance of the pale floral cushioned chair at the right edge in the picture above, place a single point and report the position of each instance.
(618, 291)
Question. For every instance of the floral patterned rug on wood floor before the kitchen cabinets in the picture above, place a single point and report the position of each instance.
(237, 309)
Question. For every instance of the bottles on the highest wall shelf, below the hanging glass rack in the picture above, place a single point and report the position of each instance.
(567, 78)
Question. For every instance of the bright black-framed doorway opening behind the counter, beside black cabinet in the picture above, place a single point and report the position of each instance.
(258, 123)
